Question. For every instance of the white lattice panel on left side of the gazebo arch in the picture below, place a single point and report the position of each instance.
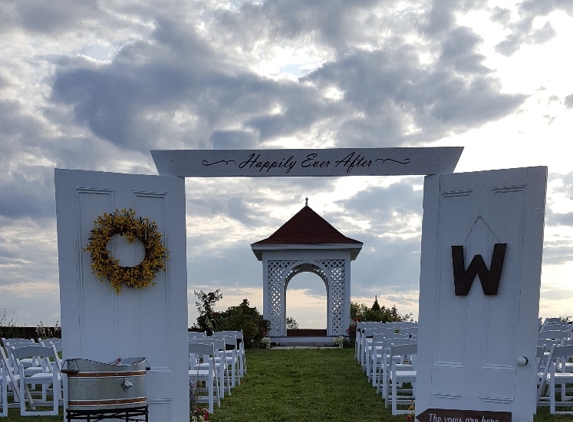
(277, 273)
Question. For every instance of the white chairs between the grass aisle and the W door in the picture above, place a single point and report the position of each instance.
(387, 354)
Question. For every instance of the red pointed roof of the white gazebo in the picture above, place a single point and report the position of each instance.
(307, 228)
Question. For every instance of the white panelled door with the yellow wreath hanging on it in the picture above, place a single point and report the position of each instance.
(101, 325)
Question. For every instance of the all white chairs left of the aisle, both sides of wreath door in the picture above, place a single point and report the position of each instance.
(217, 363)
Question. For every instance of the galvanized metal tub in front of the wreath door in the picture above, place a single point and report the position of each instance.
(94, 386)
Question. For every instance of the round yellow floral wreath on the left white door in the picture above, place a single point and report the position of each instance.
(125, 223)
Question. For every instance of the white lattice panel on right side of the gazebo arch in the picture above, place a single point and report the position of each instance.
(336, 273)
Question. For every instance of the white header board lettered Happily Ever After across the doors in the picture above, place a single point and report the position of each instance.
(308, 162)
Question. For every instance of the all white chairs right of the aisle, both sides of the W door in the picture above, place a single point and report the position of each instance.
(387, 353)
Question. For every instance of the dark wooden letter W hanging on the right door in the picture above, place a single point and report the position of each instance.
(489, 279)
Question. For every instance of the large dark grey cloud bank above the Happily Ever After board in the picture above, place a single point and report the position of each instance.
(138, 100)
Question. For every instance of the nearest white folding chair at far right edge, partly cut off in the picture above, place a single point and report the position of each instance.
(554, 375)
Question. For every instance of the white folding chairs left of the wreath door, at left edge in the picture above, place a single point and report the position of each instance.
(24, 365)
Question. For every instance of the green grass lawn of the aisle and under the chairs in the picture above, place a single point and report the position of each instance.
(301, 385)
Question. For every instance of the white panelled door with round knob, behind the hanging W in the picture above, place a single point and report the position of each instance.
(469, 343)
